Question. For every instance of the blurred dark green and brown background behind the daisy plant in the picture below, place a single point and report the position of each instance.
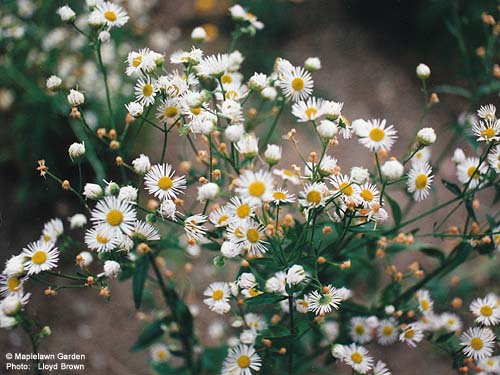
(369, 51)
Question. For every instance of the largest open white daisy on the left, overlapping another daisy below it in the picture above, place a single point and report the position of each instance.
(114, 213)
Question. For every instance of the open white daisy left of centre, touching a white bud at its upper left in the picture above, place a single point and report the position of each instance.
(160, 182)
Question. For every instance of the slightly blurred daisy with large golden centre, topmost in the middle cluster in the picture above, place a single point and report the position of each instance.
(255, 186)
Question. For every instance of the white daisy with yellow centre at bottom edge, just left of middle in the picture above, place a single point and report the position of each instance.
(241, 360)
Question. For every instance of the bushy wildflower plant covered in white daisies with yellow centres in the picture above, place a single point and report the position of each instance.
(296, 238)
